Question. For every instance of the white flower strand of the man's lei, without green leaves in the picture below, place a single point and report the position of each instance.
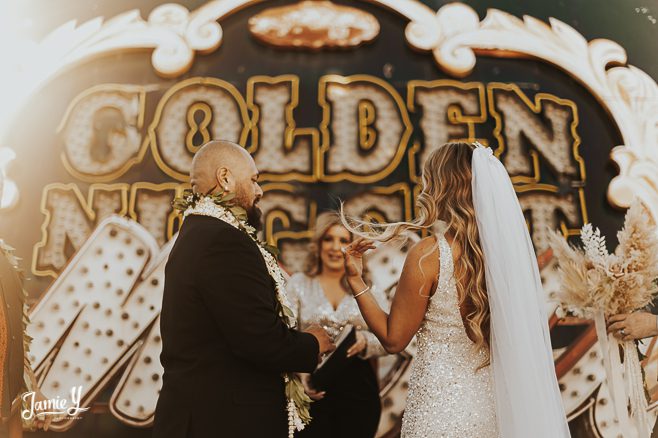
(207, 207)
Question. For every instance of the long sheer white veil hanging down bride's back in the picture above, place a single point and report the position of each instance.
(528, 400)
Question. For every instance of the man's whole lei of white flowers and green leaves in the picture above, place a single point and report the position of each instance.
(220, 206)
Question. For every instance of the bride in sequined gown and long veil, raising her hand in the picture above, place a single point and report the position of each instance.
(484, 366)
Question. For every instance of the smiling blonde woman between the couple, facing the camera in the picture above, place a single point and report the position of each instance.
(350, 406)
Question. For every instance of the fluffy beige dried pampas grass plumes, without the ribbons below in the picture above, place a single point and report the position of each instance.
(621, 282)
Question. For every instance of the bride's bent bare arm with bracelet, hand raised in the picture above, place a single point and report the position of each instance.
(417, 282)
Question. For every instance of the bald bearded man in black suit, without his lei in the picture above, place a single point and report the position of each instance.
(224, 346)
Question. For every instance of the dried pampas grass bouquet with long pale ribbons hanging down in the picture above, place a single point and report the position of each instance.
(597, 284)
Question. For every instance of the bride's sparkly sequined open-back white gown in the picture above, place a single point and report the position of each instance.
(448, 397)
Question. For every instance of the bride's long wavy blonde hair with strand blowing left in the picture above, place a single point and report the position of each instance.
(447, 196)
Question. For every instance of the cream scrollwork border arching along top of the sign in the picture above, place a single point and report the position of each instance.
(454, 35)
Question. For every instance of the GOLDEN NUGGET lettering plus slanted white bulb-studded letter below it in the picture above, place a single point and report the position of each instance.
(100, 317)
